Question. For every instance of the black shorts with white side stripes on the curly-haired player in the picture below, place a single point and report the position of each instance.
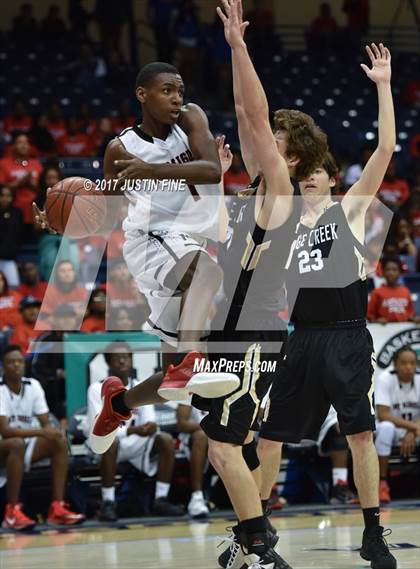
(230, 418)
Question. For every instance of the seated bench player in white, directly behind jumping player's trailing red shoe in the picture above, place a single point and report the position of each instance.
(138, 442)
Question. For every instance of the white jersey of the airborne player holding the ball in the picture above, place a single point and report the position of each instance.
(166, 205)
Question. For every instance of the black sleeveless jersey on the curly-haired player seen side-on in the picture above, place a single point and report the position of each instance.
(253, 260)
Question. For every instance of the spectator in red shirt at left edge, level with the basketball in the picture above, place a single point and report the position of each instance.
(21, 173)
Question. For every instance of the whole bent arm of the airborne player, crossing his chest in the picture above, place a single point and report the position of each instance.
(204, 169)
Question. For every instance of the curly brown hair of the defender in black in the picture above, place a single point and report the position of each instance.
(304, 140)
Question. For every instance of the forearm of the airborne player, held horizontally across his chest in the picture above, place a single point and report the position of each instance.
(196, 172)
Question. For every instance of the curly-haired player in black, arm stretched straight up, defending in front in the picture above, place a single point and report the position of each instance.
(253, 260)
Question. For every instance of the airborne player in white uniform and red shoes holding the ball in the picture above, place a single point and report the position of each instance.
(165, 235)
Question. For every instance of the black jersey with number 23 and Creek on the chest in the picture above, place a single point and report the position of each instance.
(326, 279)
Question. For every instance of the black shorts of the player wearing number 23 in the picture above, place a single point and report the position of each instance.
(323, 366)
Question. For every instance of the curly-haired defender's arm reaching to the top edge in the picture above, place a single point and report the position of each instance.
(254, 103)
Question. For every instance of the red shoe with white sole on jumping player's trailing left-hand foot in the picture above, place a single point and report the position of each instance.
(105, 427)
